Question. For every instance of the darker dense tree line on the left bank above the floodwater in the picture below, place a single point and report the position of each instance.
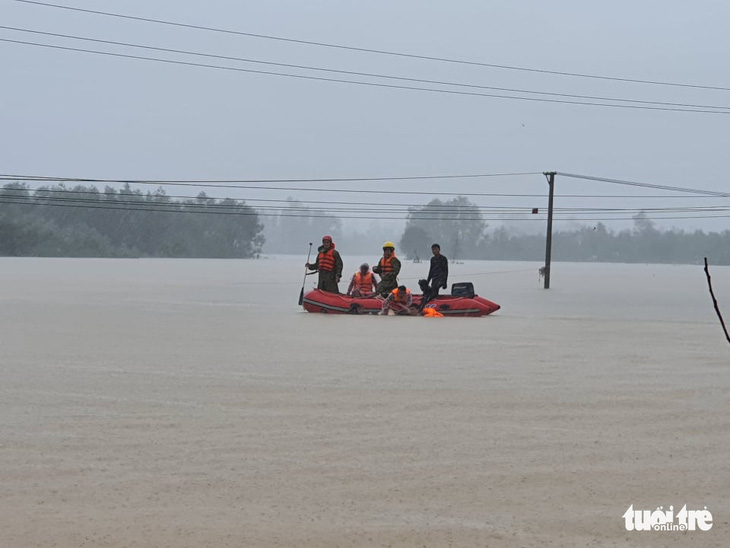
(84, 222)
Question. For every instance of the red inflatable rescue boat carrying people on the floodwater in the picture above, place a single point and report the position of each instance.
(462, 302)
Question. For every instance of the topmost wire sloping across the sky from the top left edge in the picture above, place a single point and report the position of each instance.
(380, 52)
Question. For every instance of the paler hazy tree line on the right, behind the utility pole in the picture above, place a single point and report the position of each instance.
(463, 234)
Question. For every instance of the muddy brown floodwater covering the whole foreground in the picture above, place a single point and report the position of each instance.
(192, 403)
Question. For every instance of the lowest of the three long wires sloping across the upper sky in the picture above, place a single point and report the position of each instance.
(359, 83)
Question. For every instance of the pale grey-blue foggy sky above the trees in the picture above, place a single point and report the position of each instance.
(74, 114)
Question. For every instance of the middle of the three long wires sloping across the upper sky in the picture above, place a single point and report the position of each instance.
(365, 74)
